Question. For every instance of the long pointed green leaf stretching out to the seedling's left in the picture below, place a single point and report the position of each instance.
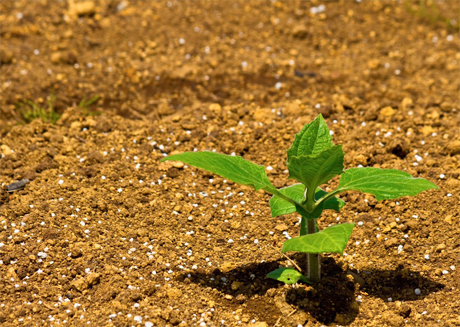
(233, 168)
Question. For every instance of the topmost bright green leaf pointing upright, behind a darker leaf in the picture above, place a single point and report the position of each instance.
(313, 139)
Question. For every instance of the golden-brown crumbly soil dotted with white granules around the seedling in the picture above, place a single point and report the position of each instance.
(102, 234)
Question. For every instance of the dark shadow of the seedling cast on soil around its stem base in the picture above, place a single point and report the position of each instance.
(333, 299)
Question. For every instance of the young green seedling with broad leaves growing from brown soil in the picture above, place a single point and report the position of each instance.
(312, 160)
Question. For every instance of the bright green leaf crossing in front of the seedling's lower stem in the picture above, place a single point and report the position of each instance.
(331, 239)
